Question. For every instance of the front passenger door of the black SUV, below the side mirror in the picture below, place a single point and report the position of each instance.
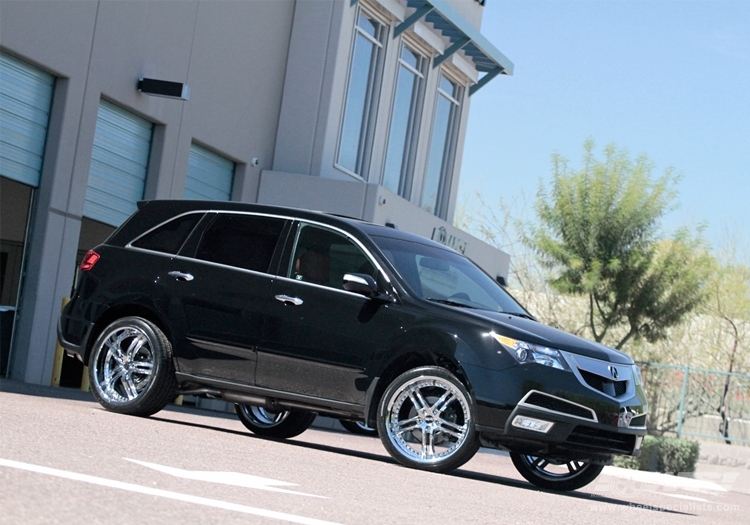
(319, 339)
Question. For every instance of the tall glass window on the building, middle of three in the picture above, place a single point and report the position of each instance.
(402, 137)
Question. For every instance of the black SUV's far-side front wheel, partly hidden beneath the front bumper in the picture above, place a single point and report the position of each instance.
(555, 475)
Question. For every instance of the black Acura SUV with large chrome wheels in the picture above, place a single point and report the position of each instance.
(291, 313)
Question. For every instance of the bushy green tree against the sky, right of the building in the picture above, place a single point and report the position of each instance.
(598, 232)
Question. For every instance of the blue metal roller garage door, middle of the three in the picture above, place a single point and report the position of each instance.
(119, 162)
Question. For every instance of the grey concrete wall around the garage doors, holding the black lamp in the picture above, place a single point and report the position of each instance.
(231, 54)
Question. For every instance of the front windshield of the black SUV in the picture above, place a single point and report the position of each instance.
(444, 276)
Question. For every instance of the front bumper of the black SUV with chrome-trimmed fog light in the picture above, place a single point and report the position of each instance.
(537, 410)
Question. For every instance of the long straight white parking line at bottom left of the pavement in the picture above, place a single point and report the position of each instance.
(162, 493)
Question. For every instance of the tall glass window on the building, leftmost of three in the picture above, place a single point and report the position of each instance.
(361, 95)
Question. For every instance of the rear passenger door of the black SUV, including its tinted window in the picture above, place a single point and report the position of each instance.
(215, 294)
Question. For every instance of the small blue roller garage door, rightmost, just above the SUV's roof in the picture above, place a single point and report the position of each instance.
(209, 175)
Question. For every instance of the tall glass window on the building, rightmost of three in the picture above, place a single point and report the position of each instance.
(442, 148)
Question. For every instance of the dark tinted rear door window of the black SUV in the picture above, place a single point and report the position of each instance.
(244, 241)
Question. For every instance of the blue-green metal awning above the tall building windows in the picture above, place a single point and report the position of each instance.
(462, 36)
